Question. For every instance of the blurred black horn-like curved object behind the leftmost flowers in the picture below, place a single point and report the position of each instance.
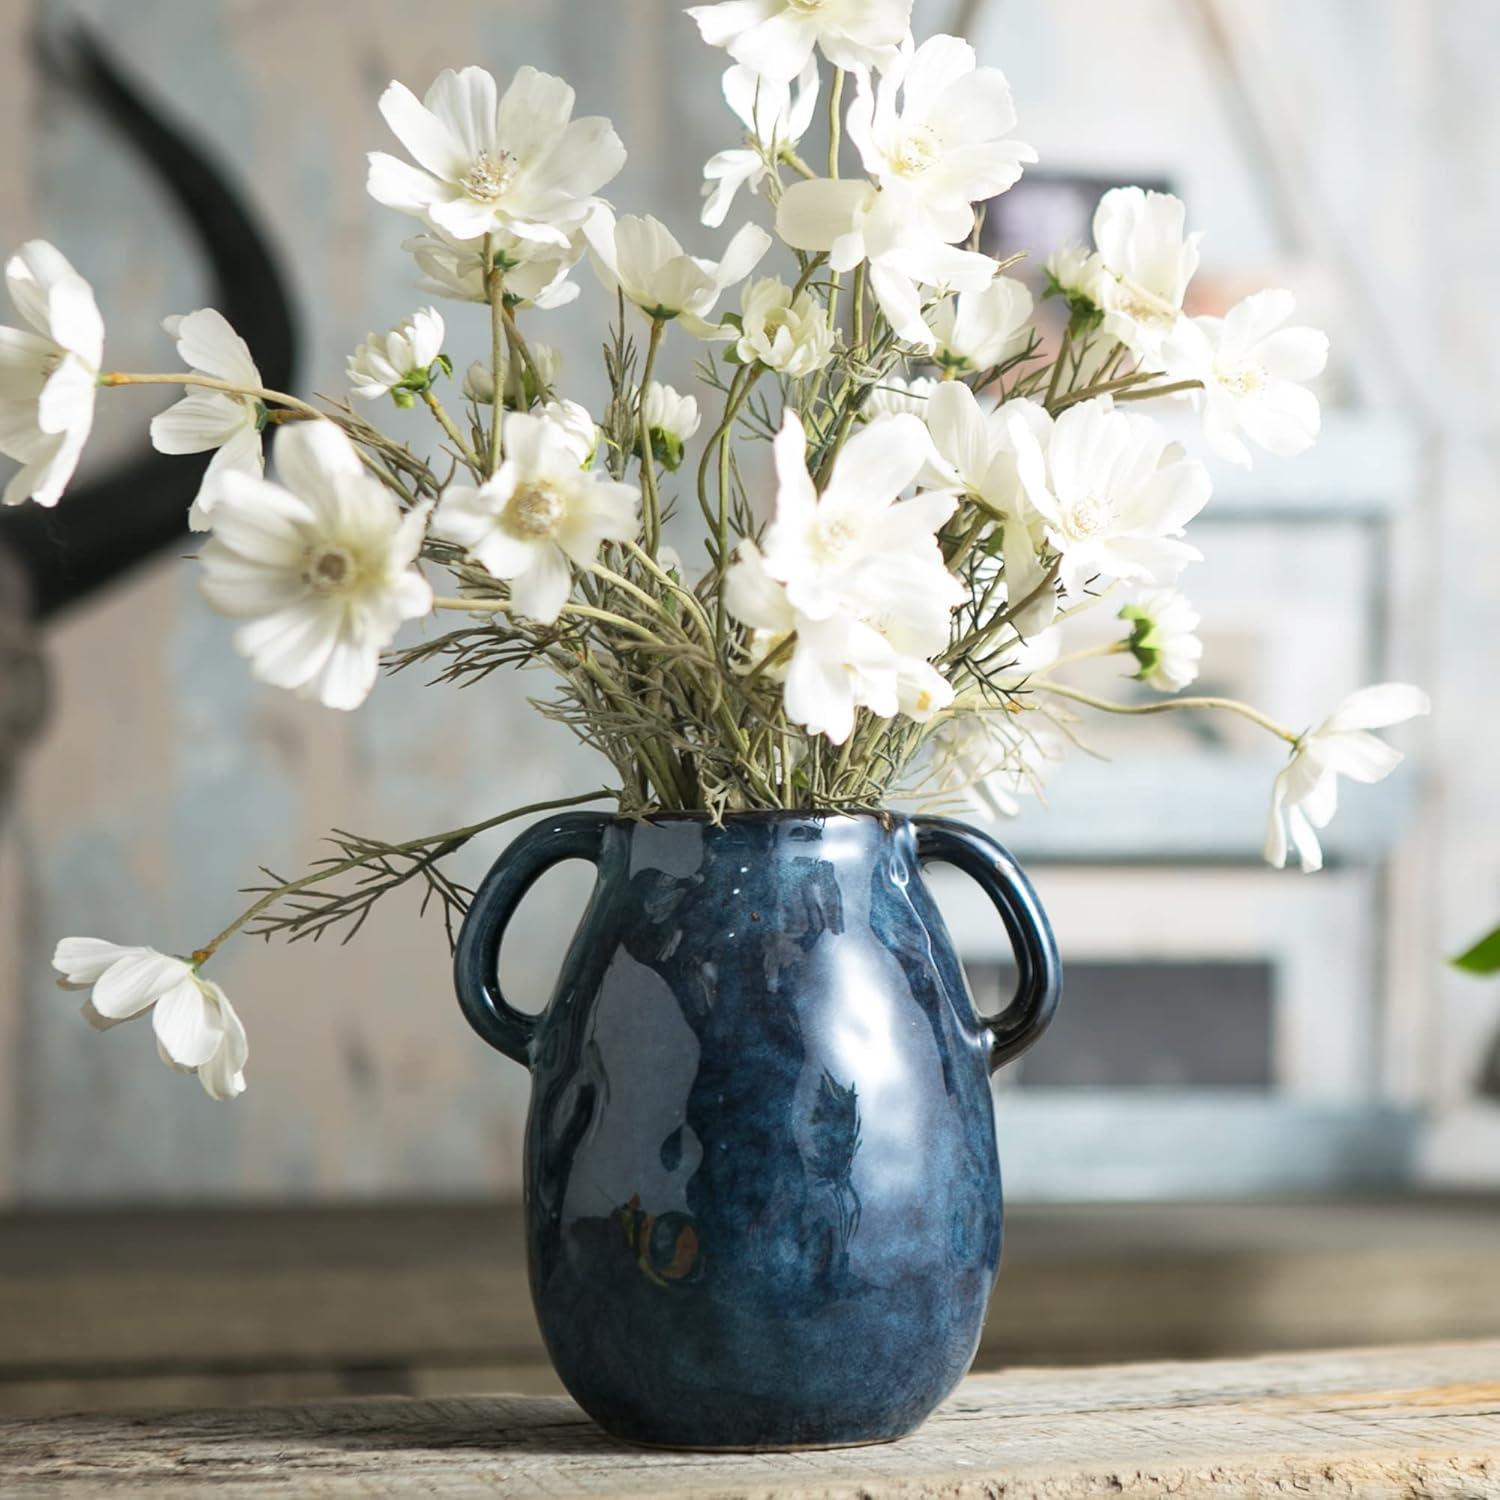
(106, 529)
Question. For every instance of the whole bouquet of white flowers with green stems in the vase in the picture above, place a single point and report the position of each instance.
(952, 487)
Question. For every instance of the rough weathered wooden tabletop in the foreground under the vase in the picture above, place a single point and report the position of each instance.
(1420, 1421)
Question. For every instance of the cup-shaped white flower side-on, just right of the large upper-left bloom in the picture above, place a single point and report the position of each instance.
(646, 262)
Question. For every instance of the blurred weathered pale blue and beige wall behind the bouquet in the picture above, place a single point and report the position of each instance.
(1235, 1030)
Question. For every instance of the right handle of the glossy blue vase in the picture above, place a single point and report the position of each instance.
(1040, 986)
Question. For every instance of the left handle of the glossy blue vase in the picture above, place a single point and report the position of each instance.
(476, 959)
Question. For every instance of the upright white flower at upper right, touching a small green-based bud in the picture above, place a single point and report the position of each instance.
(1147, 260)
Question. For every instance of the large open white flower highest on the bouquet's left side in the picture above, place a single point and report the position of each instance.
(518, 164)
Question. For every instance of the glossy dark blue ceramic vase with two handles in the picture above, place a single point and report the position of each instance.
(763, 1187)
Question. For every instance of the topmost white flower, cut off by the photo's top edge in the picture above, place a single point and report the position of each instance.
(776, 38)
